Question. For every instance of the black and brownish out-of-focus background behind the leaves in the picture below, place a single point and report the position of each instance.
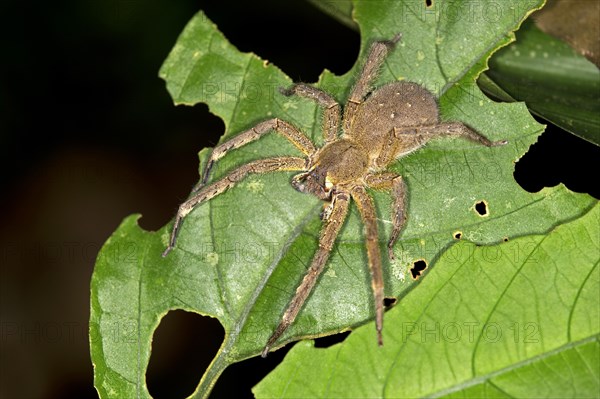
(89, 135)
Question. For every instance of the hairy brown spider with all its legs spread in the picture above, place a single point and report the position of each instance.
(378, 128)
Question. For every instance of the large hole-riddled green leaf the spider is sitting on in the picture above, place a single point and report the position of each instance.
(240, 256)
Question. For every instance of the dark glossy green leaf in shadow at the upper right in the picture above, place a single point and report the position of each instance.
(556, 82)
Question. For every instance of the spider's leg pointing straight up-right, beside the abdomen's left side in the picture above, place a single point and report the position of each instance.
(377, 54)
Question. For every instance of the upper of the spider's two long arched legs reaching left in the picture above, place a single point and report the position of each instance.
(284, 128)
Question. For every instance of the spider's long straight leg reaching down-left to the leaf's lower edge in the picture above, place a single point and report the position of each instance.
(328, 235)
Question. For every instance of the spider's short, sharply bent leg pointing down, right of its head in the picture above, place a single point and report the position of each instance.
(395, 184)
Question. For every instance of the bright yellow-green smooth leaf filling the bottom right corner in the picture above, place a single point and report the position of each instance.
(516, 320)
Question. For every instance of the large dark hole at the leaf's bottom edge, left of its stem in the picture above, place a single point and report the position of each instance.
(183, 346)
